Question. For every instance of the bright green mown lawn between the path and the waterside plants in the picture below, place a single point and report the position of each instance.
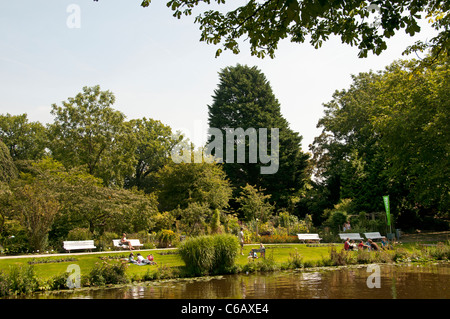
(166, 258)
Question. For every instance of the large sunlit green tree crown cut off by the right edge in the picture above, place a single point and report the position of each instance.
(414, 123)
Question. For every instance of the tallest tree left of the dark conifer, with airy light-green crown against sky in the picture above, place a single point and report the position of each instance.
(88, 131)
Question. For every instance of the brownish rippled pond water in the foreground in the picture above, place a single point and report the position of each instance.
(362, 282)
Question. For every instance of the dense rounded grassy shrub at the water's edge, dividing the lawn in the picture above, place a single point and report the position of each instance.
(209, 254)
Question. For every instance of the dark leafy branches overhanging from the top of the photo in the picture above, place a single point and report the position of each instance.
(365, 24)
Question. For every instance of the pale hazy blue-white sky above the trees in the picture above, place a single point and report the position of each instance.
(156, 66)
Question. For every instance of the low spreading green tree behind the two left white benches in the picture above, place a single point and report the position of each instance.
(84, 202)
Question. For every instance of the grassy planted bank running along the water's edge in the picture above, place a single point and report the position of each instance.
(51, 272)
